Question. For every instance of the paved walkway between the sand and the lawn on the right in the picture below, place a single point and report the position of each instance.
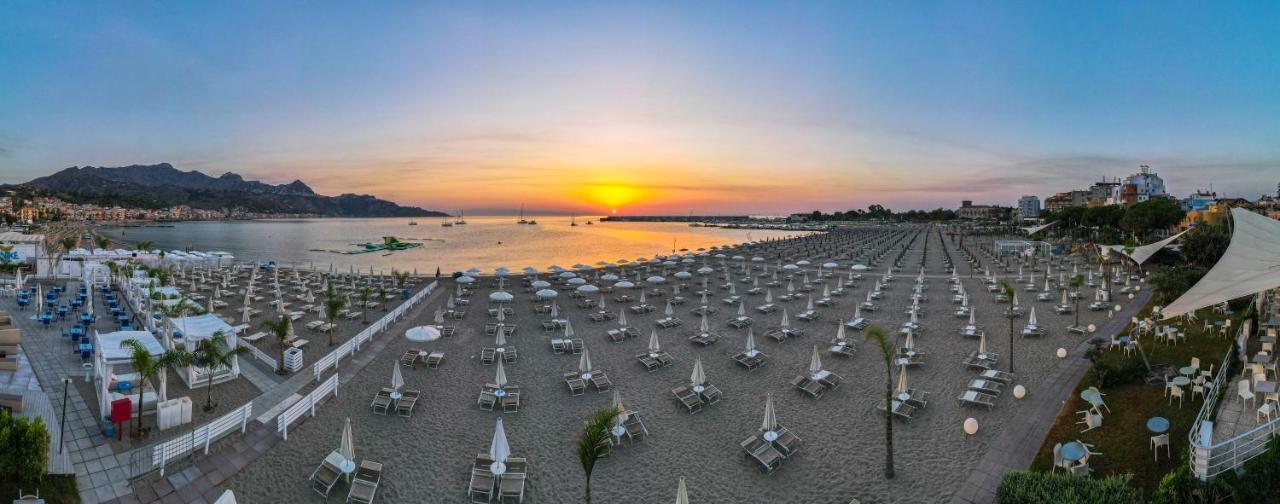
(1018, 446)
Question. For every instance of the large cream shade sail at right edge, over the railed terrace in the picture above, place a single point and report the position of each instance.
(1250, 265)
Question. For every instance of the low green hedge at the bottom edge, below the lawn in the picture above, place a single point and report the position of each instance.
(1036, 488)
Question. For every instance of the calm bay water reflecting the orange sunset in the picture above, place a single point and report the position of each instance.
(484, 242)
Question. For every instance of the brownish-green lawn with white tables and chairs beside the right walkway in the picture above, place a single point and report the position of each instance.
(1123, 439)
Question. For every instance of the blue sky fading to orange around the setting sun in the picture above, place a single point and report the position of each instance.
(651, 108)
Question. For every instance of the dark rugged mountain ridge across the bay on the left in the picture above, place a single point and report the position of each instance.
(163, 186)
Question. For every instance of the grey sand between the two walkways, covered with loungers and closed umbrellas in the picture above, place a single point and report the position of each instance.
(428, 457)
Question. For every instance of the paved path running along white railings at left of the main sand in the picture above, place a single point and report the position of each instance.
(202, 482)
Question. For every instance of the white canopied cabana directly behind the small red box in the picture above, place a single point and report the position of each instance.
(112, 368)
